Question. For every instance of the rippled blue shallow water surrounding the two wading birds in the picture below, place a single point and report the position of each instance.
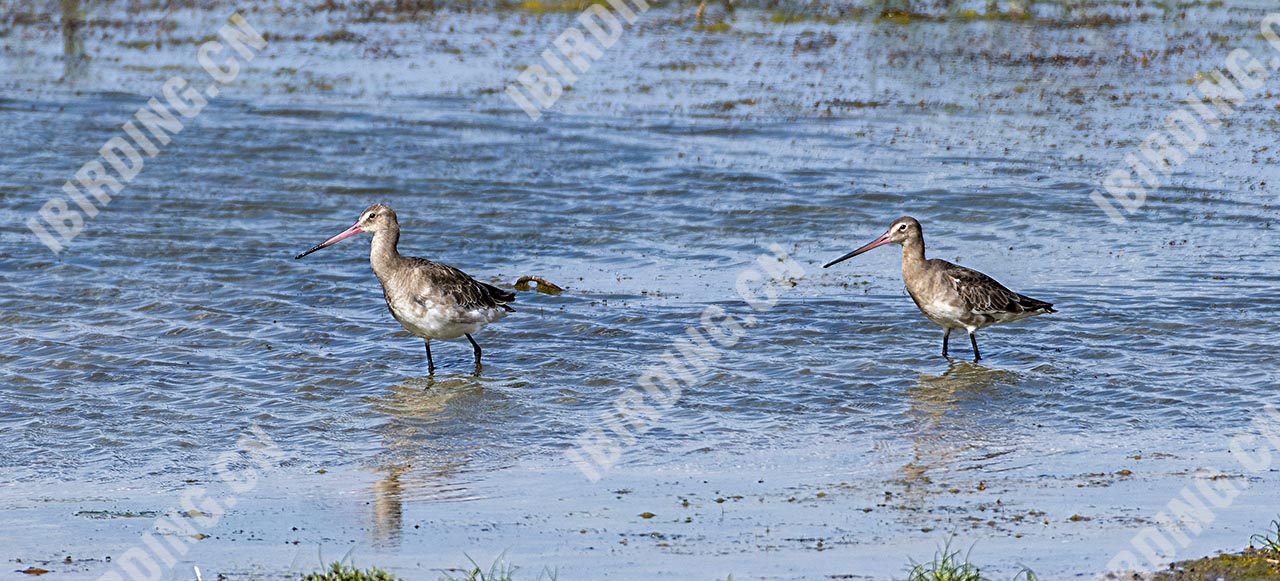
(179, 319)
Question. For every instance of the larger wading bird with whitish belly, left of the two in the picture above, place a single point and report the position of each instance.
(429, 300)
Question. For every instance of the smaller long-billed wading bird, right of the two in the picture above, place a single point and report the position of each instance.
(953, 296)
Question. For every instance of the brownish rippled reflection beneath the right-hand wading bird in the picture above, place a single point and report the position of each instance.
(945, 428)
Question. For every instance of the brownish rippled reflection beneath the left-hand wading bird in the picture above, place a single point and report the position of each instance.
(423, 459)
